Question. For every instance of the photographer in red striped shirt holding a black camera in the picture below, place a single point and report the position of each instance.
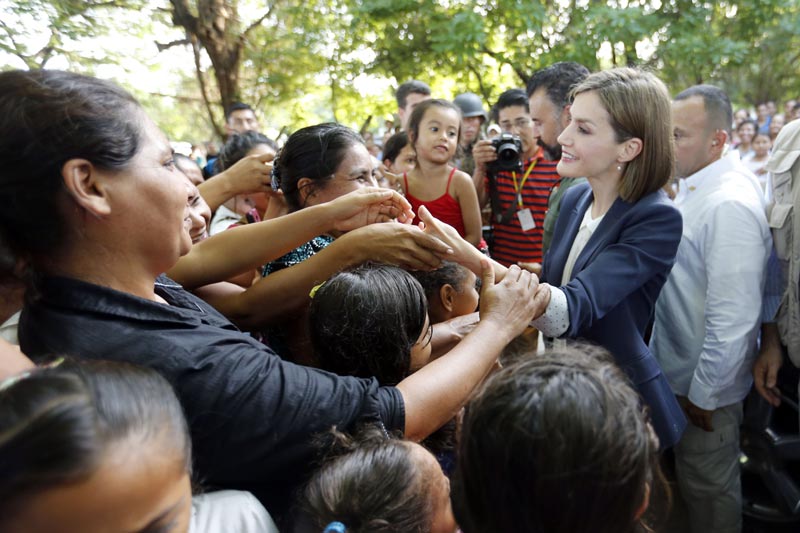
(512, 172)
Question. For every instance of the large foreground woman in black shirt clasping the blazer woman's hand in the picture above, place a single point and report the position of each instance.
(84, 152)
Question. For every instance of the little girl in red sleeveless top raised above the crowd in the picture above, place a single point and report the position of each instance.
(449, 194)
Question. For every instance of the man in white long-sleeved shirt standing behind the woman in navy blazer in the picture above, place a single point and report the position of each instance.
(709, 312)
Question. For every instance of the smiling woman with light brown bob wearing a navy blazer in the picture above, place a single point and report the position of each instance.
(616, 237)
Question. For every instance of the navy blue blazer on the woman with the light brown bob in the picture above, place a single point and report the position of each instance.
(612, 293)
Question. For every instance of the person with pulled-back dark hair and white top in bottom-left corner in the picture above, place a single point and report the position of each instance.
(104, 447)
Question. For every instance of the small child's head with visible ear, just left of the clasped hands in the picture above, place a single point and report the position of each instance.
(451, 290)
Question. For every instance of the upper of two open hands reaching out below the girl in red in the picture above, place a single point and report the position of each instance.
(367, 206)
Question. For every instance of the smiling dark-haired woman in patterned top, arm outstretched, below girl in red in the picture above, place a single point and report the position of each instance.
(318, 164)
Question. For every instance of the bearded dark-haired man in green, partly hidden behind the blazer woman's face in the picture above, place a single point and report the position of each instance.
(549, 98)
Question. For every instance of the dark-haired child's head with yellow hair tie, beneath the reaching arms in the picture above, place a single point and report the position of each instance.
(371, 321)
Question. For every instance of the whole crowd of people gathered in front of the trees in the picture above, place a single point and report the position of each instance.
(327, 335)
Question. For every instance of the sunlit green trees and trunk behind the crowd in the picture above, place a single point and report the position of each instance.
(304, 61)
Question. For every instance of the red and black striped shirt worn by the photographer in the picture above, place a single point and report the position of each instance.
(511, 244)
